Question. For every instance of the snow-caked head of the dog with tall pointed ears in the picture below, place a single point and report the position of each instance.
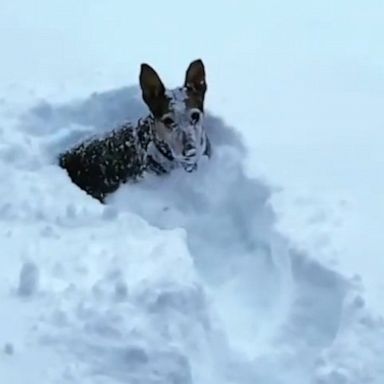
(178, 113)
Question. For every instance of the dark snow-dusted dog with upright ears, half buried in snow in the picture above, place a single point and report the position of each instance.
(171, 136)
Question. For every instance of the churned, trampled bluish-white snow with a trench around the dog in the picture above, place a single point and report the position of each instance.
(182, 279)
